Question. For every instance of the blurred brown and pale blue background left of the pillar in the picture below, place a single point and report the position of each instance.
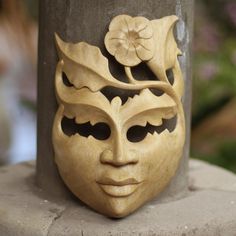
(18, 58)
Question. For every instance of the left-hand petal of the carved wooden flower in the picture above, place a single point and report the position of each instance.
(113, 40)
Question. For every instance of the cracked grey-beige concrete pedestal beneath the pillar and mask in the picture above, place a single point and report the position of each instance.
(208, 210)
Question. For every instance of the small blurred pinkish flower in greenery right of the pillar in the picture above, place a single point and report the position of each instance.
(208, 70)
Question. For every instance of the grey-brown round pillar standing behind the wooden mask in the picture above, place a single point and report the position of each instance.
(87, 20)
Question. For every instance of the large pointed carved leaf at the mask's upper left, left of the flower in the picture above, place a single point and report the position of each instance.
(84, 65)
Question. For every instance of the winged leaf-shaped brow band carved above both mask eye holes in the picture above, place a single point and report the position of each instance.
(95, 107)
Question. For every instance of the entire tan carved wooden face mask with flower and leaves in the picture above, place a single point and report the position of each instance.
(118, 155)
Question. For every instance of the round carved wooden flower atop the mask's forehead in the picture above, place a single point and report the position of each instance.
(130, 40)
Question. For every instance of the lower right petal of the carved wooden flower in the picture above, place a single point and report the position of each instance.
(145, 49)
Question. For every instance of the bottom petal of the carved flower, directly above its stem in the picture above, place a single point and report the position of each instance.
(127, 56)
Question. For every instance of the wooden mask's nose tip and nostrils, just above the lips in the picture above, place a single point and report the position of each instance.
(119, 156)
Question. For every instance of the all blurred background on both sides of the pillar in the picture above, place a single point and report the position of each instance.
(214, 81)
